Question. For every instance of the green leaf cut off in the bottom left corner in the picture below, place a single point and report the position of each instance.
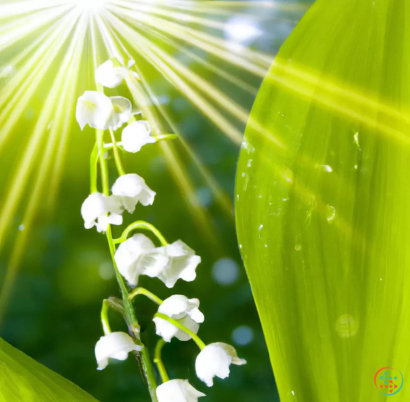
(22, 379)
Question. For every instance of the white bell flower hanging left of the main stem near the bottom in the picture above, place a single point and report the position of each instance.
(115, 345)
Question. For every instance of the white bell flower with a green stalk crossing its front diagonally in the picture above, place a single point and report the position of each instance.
(182, 309)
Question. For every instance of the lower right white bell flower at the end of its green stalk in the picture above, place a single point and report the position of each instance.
(214, 361)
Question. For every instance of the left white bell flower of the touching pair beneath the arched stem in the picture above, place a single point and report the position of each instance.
(138, 256)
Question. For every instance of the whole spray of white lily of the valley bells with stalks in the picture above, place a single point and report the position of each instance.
(137, 255)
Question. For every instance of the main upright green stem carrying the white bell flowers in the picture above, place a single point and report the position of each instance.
(131, 318)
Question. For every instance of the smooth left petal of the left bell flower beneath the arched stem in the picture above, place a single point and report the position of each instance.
(129, 255)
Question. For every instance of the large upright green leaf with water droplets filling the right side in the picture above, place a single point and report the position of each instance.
(323, 197)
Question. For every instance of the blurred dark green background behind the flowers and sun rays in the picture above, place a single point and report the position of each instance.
(65, 272)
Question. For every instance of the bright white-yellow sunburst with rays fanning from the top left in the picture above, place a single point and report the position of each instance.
(49, 50)
